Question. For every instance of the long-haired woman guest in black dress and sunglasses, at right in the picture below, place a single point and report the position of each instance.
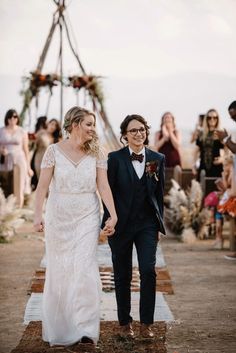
(209, 147)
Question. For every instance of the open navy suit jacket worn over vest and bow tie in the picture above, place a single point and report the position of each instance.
(121, 180)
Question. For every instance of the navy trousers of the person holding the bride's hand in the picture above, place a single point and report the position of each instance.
(143, 234)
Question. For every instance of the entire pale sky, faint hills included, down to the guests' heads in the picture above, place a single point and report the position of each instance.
(155, 55)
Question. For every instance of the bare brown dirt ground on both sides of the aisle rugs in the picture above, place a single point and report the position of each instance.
(204, 303)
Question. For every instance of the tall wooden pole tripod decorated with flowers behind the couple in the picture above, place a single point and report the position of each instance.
(89, 83)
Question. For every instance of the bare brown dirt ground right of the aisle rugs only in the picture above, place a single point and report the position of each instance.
(204, 303)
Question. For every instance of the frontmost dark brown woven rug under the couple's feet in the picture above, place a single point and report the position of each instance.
(109, 342)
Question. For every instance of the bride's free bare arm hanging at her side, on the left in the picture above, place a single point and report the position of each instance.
(41, 192)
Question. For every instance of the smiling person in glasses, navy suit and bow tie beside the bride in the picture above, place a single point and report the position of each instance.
(136, 178)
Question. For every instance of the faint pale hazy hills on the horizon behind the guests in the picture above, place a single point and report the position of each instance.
(186, 95)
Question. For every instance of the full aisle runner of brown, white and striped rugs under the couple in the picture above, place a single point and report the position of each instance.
(110, 341)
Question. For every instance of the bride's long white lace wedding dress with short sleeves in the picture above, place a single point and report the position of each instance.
(71, 298)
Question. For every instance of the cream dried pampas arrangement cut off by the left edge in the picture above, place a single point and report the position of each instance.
(10, 217)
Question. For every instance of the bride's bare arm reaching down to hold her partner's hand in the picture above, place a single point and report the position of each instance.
(106, 195)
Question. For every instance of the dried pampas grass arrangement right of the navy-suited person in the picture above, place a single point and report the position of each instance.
(184, 215)
